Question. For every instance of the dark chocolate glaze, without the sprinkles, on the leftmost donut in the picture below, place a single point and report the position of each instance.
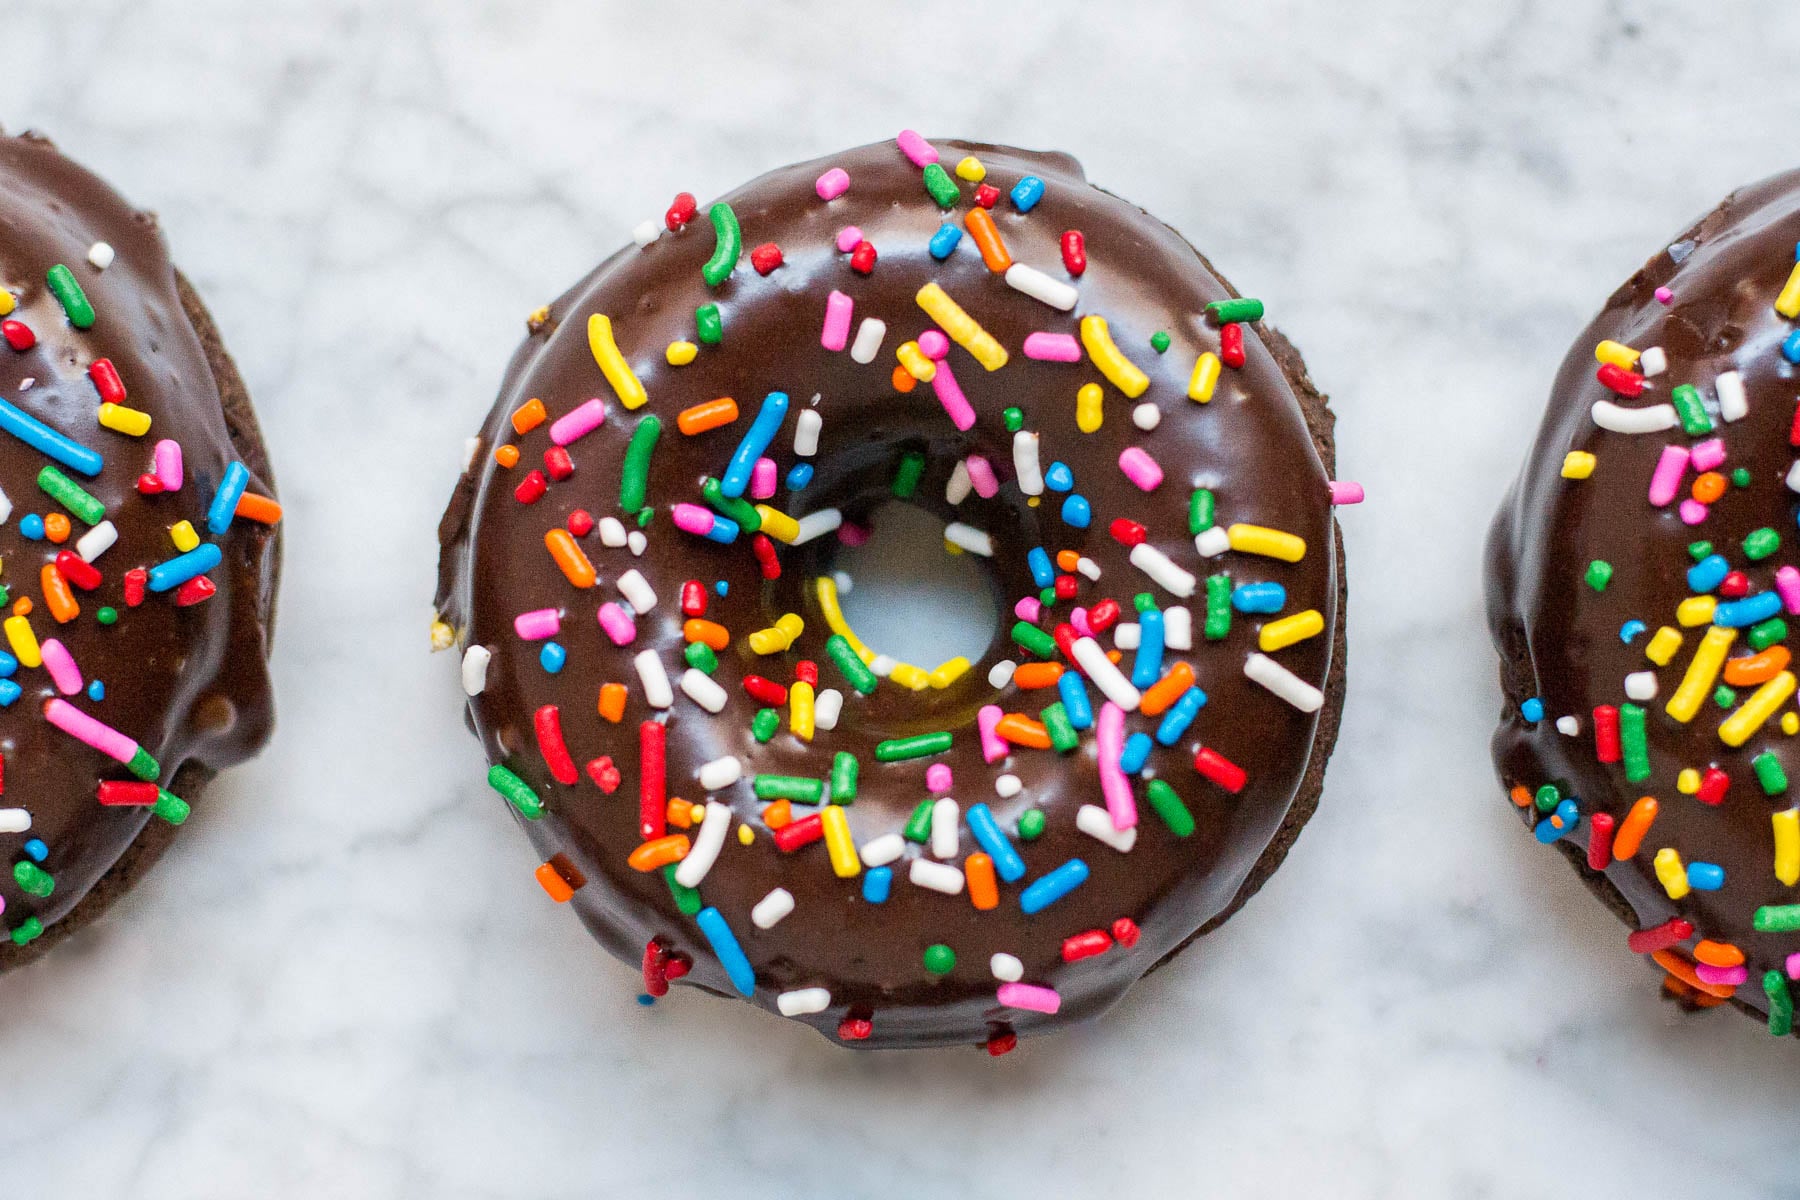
(190, 685)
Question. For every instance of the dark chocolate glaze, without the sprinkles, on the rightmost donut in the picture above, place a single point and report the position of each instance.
(1561, 641)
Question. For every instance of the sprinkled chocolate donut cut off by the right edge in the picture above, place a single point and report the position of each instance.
(1642, 582)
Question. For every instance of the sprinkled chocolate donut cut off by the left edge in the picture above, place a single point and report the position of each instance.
(138, 550)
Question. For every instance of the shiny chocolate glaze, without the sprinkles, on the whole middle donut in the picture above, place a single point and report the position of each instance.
(1250, 445)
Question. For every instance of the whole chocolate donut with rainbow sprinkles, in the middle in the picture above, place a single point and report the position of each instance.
(723, 778)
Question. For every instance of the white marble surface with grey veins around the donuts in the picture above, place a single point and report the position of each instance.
(345, 983)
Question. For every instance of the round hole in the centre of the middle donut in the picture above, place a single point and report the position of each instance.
(912, 598)
